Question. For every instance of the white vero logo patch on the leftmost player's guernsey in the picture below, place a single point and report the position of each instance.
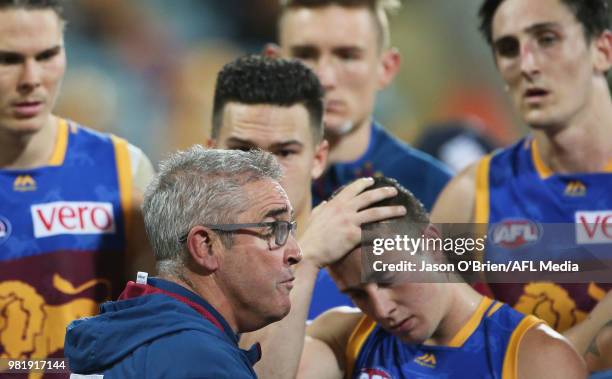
(72, 217)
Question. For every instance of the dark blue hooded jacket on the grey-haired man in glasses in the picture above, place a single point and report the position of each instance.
(158, 330)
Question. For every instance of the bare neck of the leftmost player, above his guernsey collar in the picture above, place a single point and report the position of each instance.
(19, 151)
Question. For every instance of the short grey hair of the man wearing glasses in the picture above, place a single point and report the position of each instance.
(199, 186)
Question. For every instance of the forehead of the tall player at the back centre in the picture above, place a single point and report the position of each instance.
(328, 26)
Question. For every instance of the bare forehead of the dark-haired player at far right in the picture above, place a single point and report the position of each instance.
(515, 17)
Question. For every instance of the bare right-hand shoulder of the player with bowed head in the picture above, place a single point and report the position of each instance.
(545, 354)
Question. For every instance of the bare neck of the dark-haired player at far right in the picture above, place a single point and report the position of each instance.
(582, 145)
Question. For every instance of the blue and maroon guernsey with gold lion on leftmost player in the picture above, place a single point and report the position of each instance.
(62, 239)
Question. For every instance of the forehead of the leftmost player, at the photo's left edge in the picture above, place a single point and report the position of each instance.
(29, 30)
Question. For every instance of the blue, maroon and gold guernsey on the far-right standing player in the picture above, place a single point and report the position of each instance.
(568, 215)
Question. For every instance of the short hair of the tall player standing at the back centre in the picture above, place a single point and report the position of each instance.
(381, 10)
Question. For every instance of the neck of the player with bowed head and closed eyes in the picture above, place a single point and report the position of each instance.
(463, 303)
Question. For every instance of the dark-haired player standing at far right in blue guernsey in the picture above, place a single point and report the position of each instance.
(553, 56)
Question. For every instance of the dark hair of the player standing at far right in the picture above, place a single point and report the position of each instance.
(591, 14)
